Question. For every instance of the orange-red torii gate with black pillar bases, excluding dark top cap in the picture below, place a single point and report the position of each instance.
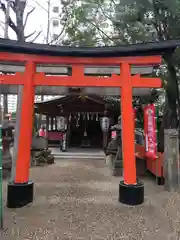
(131, 192)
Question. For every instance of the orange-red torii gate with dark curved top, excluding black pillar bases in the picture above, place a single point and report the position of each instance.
(124, 56)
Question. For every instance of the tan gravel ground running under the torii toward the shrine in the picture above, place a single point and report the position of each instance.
(79, 200)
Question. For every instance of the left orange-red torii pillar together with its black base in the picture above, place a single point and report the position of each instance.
(20, 192)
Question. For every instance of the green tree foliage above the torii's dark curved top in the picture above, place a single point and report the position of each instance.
(112, 22)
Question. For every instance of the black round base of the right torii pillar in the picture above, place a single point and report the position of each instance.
(131, 194)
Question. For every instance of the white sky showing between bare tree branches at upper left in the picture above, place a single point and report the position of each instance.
(36, 21)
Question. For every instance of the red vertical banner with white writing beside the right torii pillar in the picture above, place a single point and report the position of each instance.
(150, 131)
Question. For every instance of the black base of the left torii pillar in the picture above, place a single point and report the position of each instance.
(19, 195)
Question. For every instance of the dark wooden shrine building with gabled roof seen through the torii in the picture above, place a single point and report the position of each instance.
(83, 116)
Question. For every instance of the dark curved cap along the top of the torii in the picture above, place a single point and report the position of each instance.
(149, 48)
